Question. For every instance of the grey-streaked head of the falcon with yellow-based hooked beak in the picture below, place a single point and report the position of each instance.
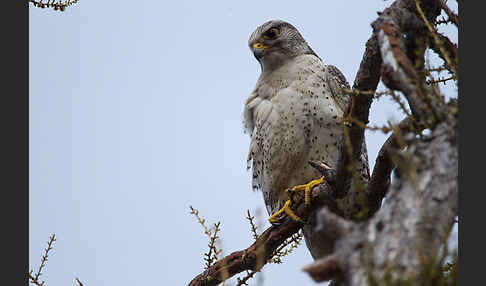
(275, 42)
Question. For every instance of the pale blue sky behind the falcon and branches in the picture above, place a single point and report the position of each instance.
(135, 114)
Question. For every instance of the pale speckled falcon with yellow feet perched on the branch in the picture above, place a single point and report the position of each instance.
(294, 115)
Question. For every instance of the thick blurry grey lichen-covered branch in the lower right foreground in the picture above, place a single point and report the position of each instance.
(412, 225)
